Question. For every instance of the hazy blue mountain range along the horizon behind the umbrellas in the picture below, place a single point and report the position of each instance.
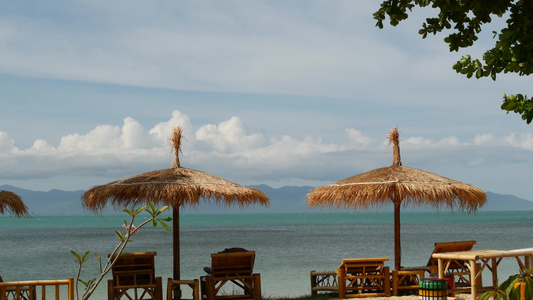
(287, 199)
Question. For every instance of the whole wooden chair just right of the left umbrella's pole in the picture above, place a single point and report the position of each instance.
(235, 268)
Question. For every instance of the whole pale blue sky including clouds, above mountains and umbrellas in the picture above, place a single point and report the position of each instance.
(268, 92)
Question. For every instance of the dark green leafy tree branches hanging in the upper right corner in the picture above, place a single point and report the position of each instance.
(513, 49)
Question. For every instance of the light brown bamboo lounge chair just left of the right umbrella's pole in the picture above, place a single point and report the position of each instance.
(363, 277)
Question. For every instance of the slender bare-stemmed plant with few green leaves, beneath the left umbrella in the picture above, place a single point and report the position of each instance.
(131, 229)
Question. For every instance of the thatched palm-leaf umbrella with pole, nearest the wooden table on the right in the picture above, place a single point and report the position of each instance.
(397, 184)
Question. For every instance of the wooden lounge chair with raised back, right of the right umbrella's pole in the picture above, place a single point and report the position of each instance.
(408, 278)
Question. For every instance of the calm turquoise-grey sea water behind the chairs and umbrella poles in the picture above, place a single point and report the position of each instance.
(288, 246)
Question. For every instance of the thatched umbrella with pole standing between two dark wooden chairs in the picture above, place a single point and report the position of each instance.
(175, 187)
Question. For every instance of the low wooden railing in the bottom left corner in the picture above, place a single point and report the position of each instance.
(28, 290)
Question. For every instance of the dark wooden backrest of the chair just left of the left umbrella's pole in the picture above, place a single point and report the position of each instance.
(134, 269)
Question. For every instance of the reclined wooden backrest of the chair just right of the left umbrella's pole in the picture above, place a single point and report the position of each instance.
(232, 263)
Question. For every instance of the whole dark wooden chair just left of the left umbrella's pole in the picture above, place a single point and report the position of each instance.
(134, 277)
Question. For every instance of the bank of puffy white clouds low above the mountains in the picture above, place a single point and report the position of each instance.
(229, 150)
